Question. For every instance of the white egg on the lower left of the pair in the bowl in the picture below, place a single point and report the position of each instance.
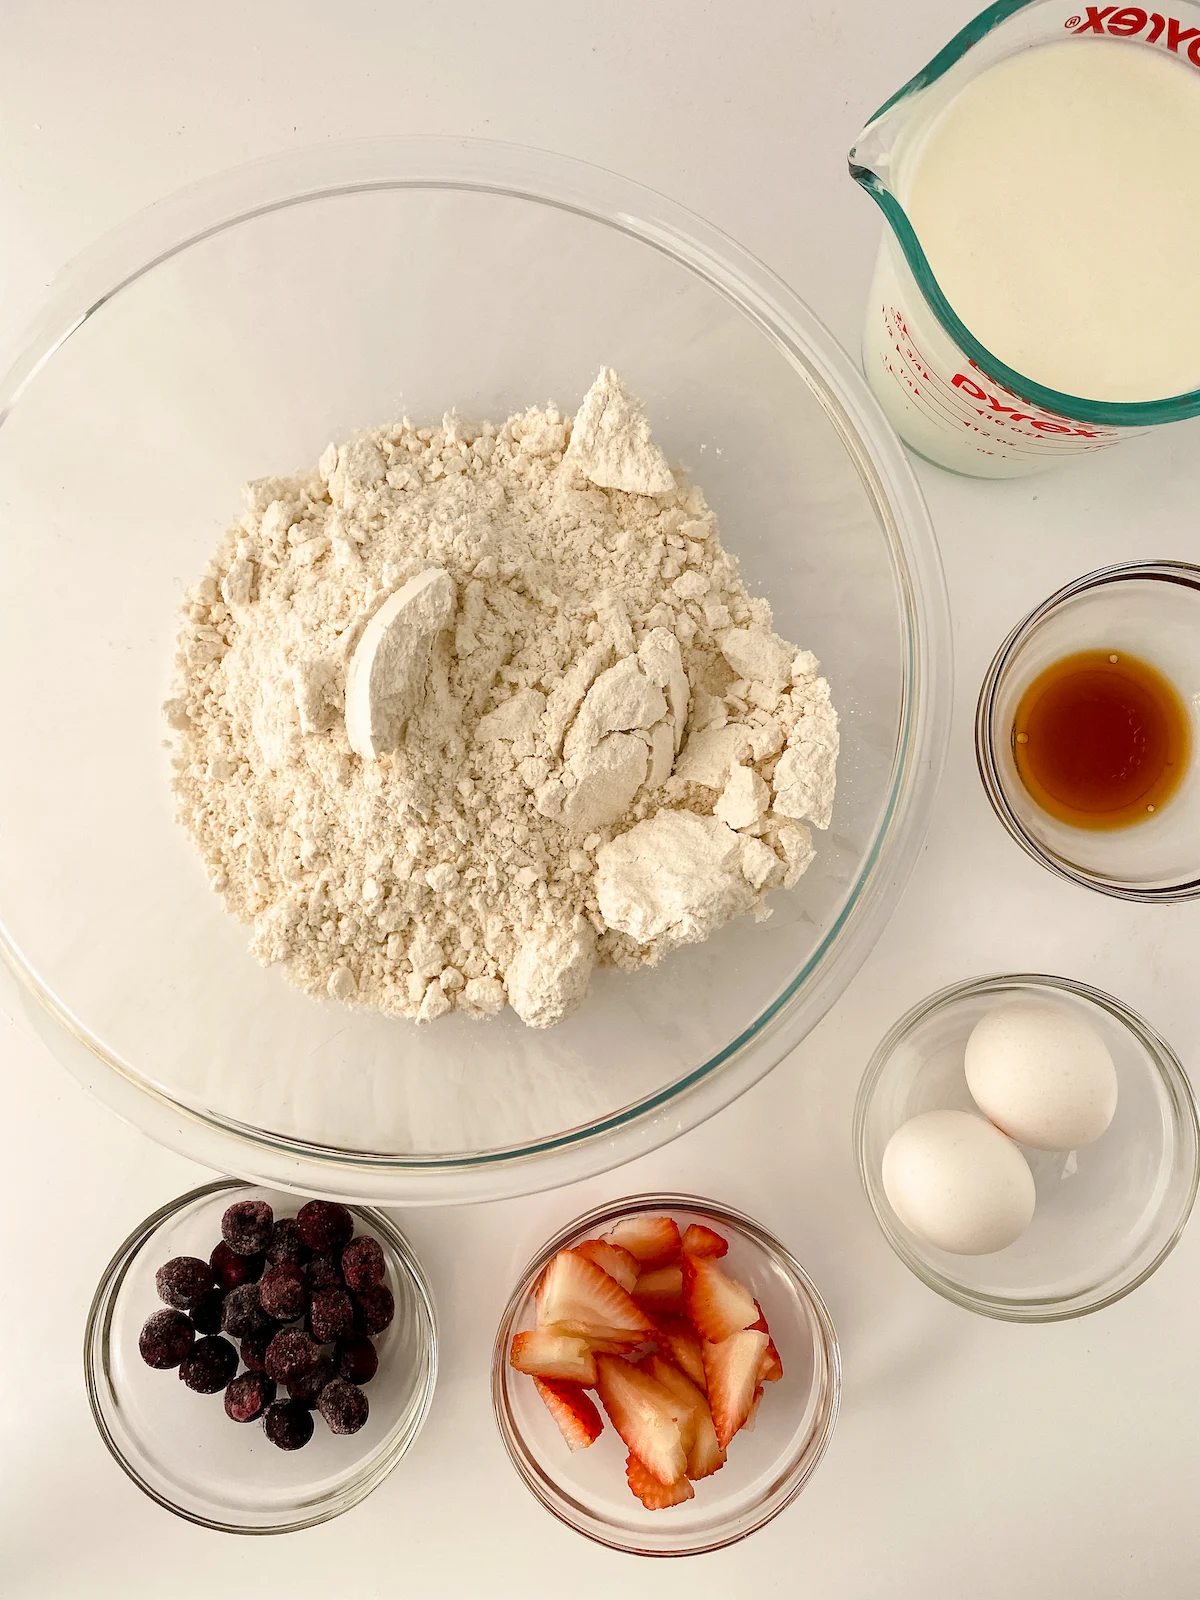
(959, 1183)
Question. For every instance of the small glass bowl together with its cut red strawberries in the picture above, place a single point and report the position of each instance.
(666, 1377)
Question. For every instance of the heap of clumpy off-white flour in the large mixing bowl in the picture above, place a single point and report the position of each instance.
(468, 710)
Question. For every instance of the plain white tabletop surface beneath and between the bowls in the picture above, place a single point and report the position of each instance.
(974, 1460)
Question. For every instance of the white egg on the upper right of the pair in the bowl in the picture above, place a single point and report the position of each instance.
(1042, 1074)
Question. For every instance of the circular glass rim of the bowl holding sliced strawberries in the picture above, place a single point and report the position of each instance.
(825, 1422)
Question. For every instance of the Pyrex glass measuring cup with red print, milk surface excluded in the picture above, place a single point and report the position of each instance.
(946, 394)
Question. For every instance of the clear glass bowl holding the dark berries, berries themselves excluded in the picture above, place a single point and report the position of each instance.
(185, 1452)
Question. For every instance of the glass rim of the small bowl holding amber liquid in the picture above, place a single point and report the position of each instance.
(1185, 575)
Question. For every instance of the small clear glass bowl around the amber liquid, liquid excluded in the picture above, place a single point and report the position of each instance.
(1143, 609)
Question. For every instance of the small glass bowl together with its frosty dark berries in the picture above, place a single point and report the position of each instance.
(258, 1364)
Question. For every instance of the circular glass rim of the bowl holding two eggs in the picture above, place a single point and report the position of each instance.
(1180, 1095)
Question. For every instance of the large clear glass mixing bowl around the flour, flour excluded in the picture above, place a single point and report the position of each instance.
(231, 332)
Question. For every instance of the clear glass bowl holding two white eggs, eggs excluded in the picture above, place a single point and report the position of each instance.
(1106, 1215)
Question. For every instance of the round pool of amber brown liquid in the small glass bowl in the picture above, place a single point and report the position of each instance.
(1102, 740)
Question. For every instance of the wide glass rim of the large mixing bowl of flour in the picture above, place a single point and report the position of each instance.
(242, 194)
